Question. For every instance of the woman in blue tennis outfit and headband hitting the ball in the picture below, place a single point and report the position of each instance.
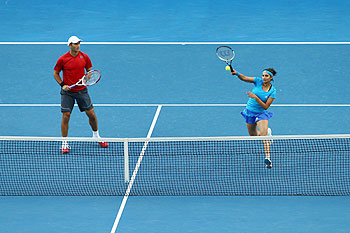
(255, 113)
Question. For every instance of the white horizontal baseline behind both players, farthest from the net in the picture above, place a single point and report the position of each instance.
(185, 43)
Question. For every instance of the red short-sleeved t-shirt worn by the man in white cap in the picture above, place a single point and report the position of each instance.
(73, 68)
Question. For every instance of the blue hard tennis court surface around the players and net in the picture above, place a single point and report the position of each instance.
(196, 97)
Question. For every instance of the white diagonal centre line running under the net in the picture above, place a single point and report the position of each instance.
(122, 206)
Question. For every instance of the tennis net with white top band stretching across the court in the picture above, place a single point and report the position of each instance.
(301, 165)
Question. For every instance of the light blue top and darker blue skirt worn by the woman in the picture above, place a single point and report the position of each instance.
(254, 112)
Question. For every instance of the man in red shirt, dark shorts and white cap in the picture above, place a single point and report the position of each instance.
(73, 64)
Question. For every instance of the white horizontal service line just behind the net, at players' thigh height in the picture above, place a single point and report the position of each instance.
(178, 105)
